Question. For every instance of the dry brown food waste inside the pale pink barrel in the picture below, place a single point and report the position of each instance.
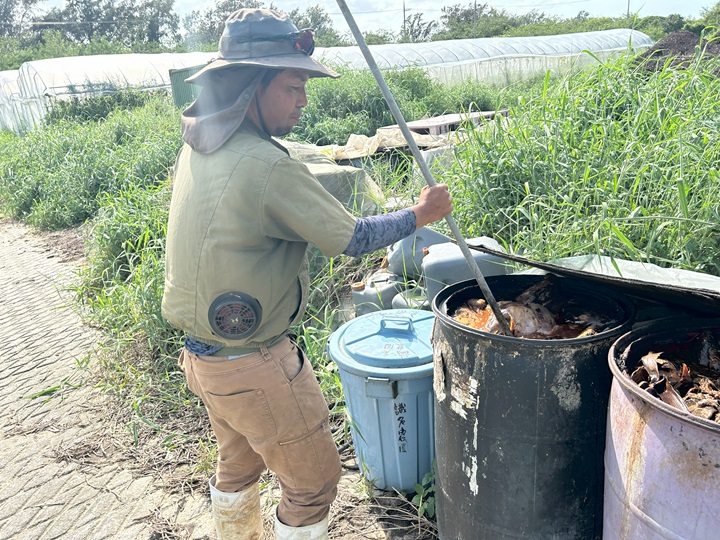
(685, 377)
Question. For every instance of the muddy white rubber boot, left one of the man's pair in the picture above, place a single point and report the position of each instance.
(237, 516)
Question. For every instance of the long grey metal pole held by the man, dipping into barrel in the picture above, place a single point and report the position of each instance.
(422, 164)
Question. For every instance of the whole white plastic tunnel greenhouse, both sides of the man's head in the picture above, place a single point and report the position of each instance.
(27, 94)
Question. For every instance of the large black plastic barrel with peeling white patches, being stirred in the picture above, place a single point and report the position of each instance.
(520, 423)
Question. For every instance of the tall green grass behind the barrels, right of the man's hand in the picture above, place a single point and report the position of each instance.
(617, 161)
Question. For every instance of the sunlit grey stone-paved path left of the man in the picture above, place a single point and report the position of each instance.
(60, 474)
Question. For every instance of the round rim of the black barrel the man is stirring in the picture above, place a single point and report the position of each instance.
(441, 299)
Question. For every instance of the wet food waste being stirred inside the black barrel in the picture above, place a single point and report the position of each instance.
(539, 312)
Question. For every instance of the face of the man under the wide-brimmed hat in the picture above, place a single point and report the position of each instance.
(281, 102)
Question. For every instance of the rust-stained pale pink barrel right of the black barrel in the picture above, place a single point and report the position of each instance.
(662, 465)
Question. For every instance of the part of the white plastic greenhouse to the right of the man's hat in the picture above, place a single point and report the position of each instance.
(496, 61)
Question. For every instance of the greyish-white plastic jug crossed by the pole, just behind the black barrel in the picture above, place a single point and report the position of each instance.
(445, 264)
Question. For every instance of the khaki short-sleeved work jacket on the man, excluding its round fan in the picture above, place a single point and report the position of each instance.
(240, 220)
